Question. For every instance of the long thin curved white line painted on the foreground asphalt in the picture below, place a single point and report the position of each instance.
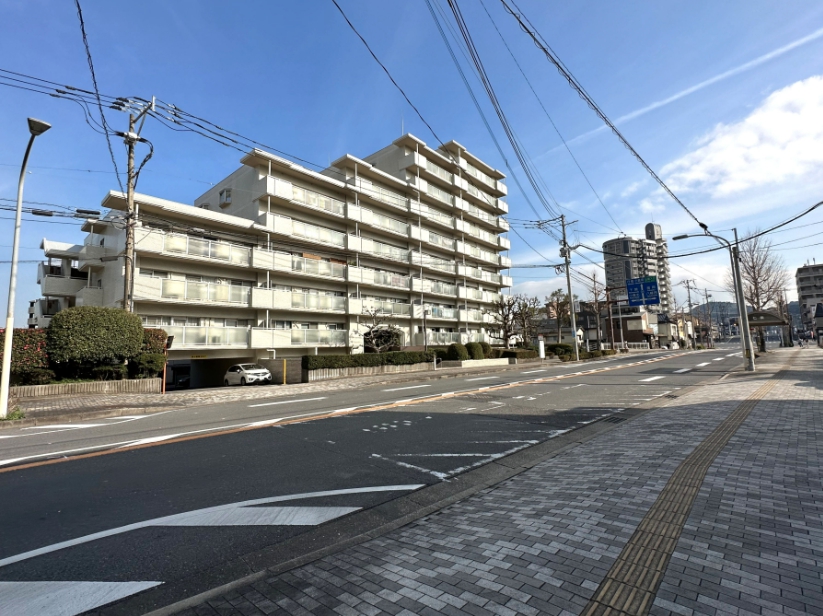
(171, 519)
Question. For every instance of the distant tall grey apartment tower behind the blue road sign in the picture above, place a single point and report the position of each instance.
(628, 257)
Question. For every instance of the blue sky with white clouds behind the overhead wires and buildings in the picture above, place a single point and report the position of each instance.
(724, 100)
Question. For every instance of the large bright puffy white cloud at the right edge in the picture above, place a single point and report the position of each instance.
(779, 142)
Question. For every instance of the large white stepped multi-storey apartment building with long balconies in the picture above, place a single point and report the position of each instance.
(279, 261)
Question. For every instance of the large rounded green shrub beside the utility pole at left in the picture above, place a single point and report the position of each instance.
(92, 335)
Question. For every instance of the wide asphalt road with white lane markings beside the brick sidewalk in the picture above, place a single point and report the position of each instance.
(155, 499)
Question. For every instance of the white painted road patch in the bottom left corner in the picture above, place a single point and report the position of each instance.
(64, 598)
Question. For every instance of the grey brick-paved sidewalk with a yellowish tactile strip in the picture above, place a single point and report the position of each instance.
(617, 525)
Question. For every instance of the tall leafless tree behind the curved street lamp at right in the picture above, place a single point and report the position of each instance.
(763, 274)
